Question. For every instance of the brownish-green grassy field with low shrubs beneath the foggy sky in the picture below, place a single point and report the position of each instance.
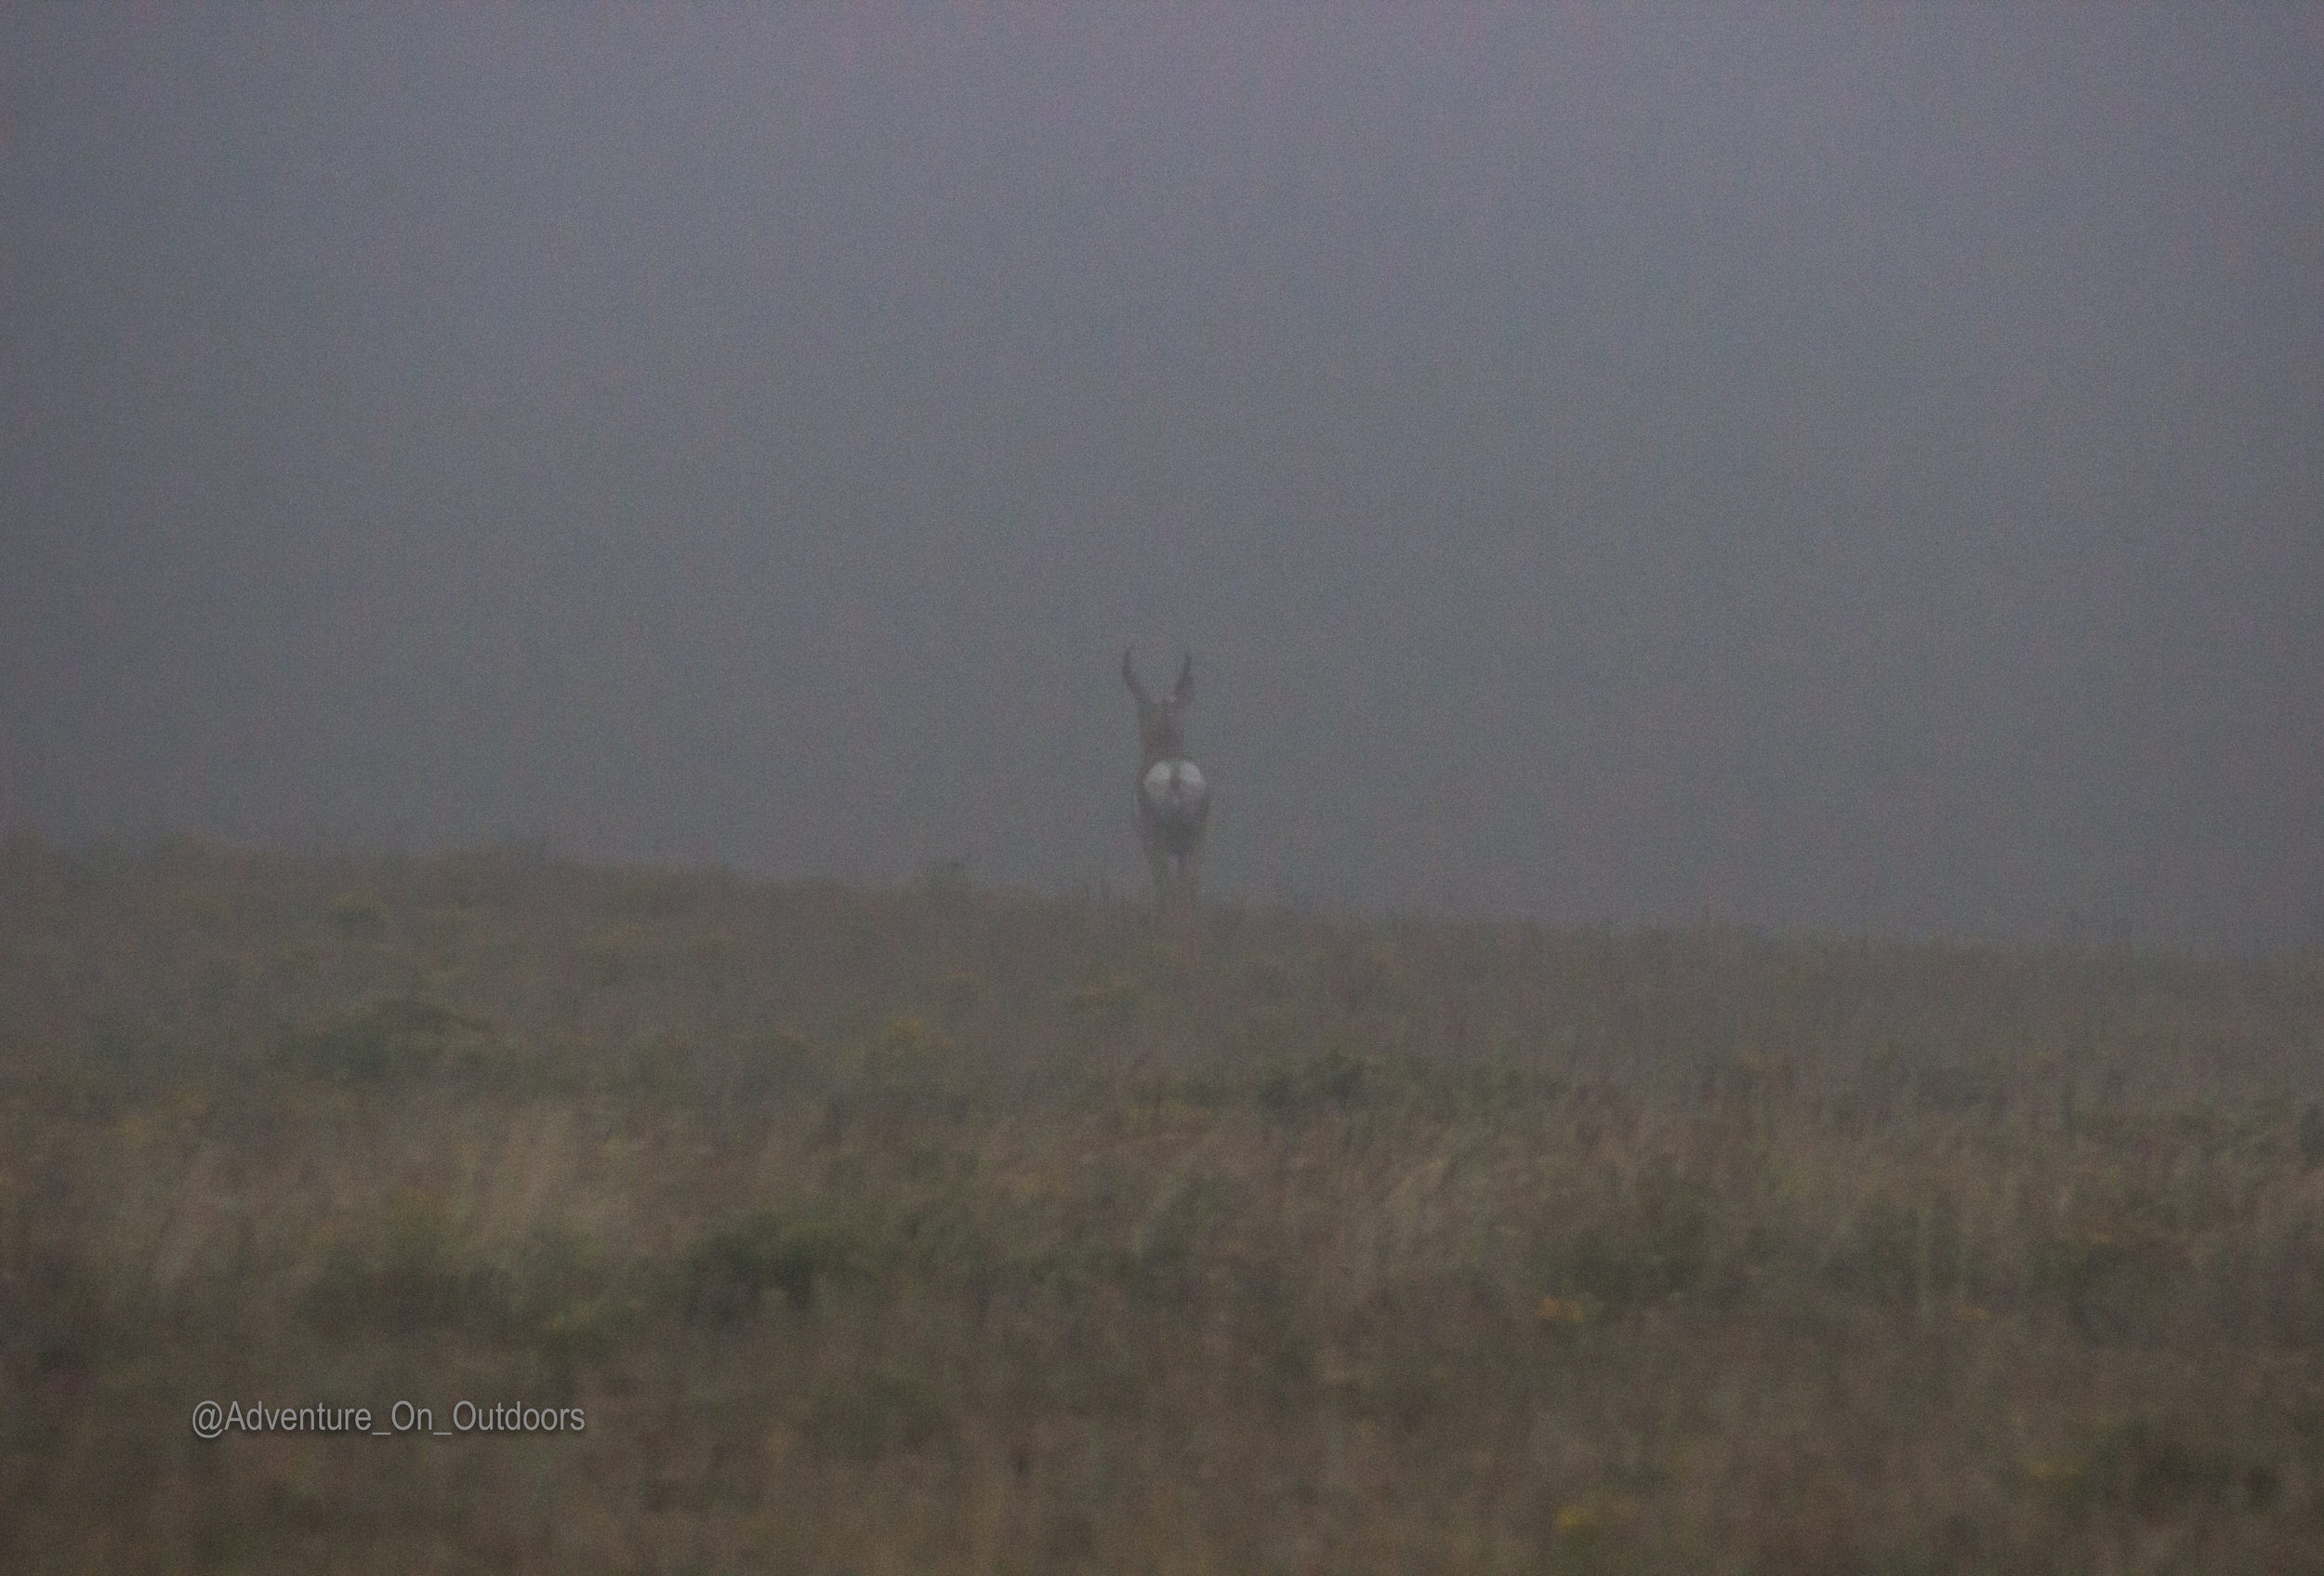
(956, 1231)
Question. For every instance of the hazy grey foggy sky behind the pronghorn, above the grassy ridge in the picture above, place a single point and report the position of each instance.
(1844, 473)
